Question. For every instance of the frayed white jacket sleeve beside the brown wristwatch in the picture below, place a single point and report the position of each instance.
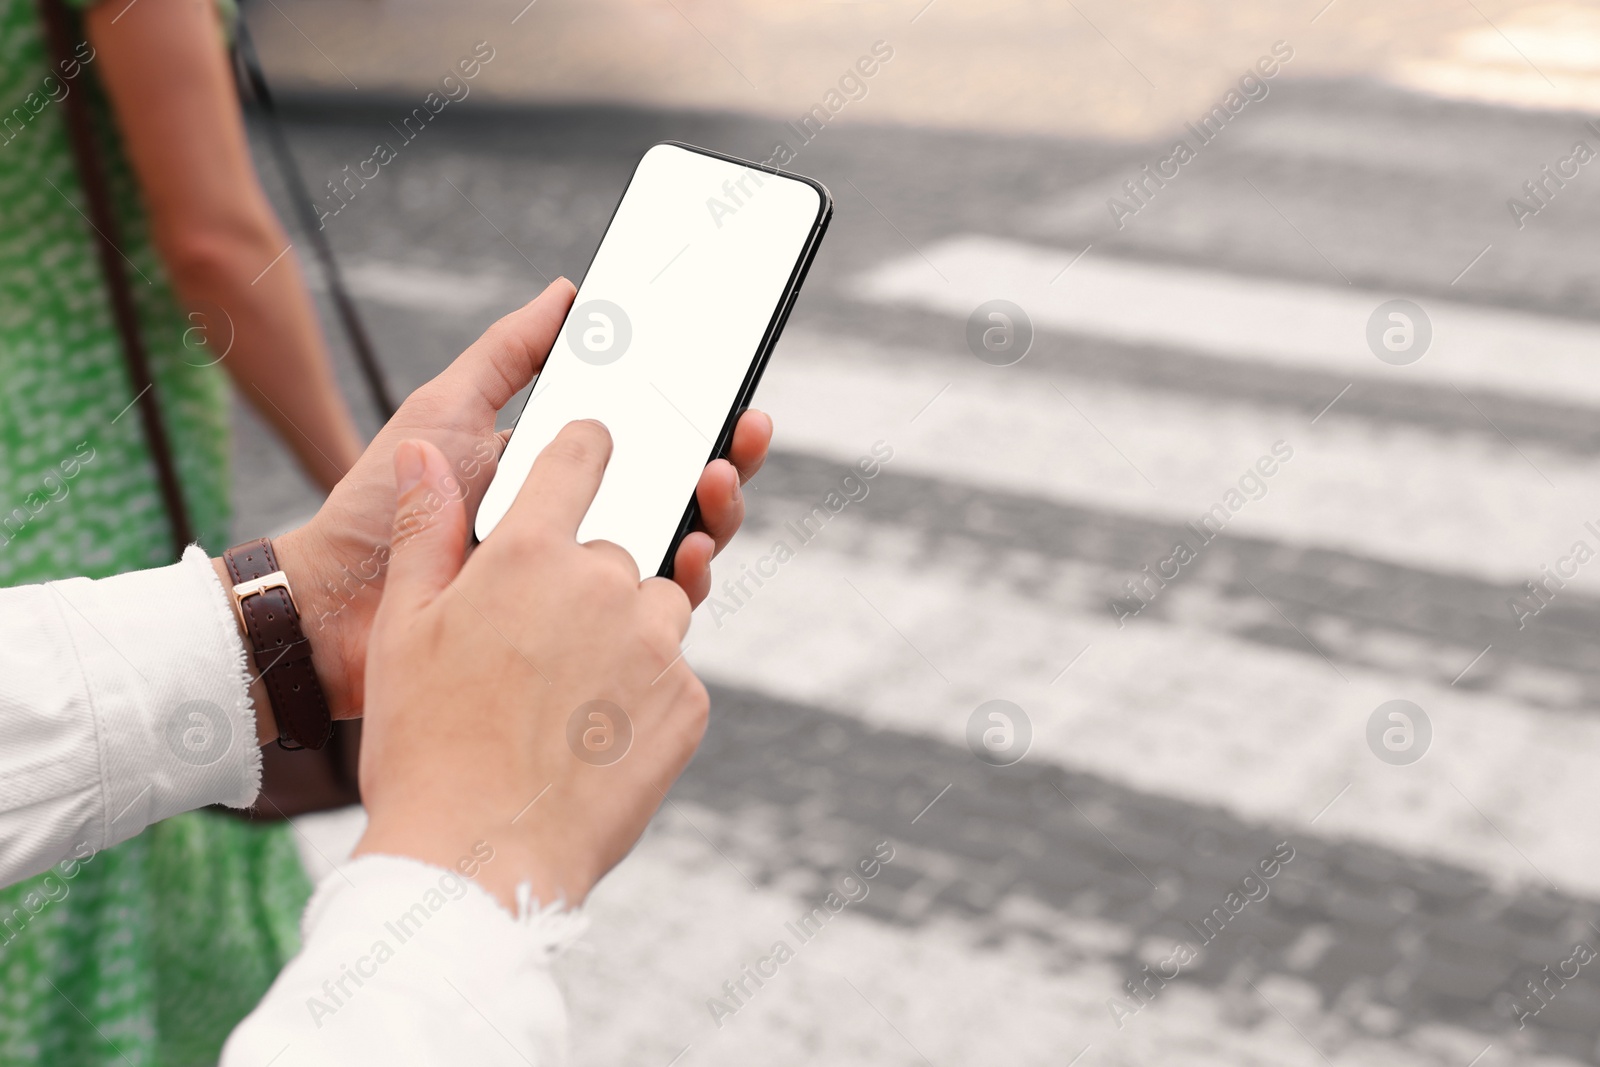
(122, 701)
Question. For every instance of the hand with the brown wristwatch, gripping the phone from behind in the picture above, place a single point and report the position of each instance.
(338, 561)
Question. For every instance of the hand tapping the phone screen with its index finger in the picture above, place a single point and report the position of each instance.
(534, 698)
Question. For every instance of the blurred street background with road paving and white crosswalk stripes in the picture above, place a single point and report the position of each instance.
(1226, 316)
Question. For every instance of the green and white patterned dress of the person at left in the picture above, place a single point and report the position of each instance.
(162, 945)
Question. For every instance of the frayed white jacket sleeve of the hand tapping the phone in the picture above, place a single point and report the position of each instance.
(409, 964)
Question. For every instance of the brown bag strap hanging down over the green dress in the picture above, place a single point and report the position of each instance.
(62, 33)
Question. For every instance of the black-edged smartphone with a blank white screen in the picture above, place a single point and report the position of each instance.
(668, 338)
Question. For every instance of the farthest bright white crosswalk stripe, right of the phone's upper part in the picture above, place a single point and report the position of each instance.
(1260, 321)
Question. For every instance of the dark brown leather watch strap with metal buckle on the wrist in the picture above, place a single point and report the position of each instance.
(266, 607)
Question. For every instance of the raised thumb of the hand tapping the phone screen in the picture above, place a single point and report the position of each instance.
(431, 524)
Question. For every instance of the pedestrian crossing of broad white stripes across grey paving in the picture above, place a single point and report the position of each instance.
(1230, 714)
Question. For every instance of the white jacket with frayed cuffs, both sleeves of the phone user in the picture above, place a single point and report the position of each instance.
(126, 701)
